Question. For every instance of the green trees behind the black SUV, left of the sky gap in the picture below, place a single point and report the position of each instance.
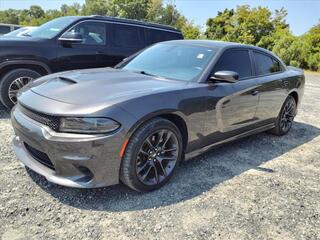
(145, 10)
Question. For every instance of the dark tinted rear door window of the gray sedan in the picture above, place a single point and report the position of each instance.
(266, 64)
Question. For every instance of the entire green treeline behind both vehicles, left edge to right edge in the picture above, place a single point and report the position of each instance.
(256, 26)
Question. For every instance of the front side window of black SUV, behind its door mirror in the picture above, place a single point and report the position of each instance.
(93, 33)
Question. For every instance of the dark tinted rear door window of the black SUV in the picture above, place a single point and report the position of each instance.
(126, 36)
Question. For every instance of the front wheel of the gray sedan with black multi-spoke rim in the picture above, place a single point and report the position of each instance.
(137, 170)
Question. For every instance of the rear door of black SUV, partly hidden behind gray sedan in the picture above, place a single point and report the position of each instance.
(126, 40)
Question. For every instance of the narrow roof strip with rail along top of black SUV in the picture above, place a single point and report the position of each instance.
(132, 21)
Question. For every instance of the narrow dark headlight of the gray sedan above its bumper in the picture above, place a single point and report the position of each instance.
(88, 125)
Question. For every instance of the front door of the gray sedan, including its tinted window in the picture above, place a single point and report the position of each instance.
(232, 106)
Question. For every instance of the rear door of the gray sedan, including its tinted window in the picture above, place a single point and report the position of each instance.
(273, 85)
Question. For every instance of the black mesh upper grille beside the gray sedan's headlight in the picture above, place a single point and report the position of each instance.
(50, 121)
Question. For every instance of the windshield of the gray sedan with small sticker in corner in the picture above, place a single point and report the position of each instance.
(171, 60)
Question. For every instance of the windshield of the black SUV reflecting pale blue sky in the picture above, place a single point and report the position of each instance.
(52, 28)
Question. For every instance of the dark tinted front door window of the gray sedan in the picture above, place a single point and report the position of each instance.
(235, 60)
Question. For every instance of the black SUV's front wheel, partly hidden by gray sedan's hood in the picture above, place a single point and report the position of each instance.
(7, 82)
